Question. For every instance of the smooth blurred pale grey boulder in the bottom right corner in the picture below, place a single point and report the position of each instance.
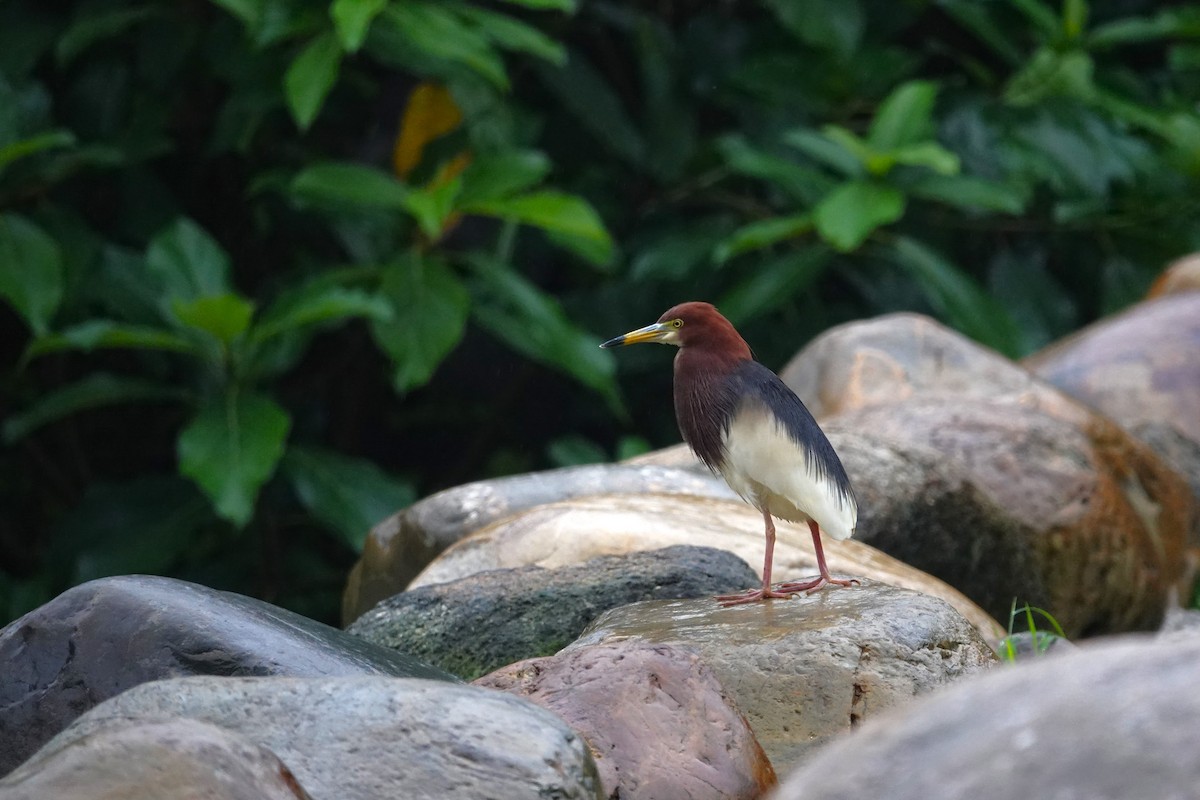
(1109, 721)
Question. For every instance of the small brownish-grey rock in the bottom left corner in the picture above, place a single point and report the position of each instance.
(152, 761)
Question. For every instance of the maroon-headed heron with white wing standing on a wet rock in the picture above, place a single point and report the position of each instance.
(749, 428)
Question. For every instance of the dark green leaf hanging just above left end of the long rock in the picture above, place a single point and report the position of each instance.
(350, 496)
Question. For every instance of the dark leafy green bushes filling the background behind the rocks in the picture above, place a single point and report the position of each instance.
(273, 269)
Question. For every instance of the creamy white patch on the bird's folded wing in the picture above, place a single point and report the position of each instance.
(770, 471)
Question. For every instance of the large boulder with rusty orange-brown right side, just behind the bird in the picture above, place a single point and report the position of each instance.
(1005, 502)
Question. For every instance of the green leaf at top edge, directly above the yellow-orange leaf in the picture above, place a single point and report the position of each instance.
(437, 32)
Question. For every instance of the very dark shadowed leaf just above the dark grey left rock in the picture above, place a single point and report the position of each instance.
(141, 527)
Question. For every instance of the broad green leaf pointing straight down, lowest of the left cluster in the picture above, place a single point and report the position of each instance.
(231, 448)
